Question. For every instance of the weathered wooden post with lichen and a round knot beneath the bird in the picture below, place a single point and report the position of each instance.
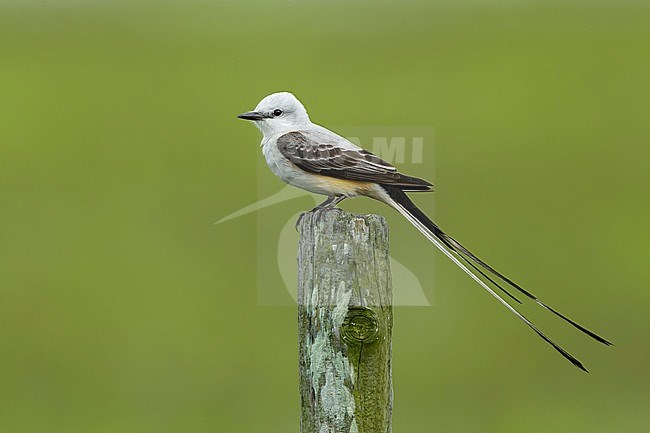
(345, 323)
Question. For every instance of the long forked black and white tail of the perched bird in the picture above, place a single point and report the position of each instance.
(457, 253)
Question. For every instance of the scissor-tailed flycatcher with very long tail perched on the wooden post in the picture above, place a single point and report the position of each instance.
(315, 159)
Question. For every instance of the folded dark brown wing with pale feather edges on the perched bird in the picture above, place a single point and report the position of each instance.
(331, 155)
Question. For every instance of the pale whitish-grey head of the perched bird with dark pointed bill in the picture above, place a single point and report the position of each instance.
(278, 113)
